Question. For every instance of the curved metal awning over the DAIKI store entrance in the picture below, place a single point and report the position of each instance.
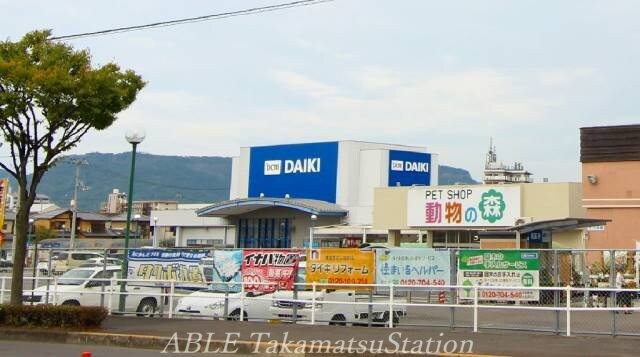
(246, 205)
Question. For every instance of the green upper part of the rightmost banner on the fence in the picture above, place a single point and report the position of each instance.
(499, 260)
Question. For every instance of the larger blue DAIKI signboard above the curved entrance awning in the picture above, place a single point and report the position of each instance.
(299, 170)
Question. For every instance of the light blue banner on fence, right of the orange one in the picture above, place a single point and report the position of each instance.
(410, 266)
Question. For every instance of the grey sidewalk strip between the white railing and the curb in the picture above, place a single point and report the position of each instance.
(503, 343)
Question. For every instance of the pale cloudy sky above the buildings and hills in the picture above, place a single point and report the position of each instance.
(443, 74)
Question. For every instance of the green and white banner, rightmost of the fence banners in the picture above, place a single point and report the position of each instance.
(519, 268)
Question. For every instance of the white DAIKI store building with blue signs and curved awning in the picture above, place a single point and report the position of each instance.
(319, 194)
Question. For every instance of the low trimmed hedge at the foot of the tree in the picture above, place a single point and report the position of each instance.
(51, 316)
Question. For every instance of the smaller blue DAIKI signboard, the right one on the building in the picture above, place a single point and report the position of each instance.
(408, 168)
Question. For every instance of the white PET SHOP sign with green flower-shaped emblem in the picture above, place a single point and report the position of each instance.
(463, 206)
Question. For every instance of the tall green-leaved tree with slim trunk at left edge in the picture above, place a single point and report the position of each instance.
(50, 97)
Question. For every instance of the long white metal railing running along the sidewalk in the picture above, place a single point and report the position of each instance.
(573, 314)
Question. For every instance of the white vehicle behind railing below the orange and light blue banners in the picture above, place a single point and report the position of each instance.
(341, 310)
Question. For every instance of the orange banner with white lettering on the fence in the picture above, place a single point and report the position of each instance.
(340, 266)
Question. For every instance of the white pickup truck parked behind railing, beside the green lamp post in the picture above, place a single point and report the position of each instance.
(84, 286)
